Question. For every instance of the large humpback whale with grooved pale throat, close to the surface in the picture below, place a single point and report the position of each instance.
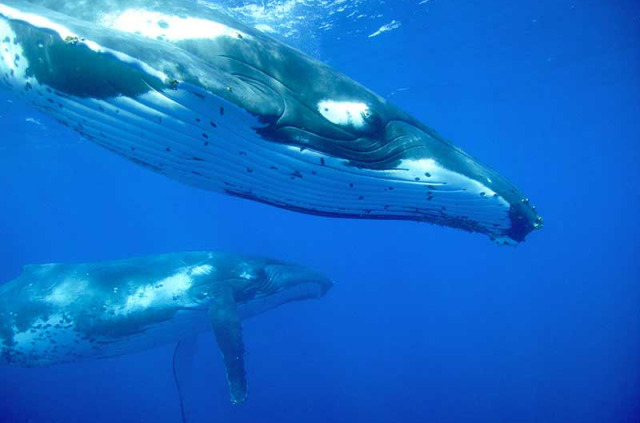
(192, 94)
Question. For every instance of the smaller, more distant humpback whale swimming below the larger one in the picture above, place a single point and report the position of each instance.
(58, 313)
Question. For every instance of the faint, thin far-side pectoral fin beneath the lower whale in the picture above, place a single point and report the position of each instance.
(183, 372)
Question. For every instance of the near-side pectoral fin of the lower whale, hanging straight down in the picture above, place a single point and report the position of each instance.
(228, 330)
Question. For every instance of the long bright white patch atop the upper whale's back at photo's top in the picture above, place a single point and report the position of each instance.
(157, 25)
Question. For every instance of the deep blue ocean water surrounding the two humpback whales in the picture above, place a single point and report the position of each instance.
(425, 324)
